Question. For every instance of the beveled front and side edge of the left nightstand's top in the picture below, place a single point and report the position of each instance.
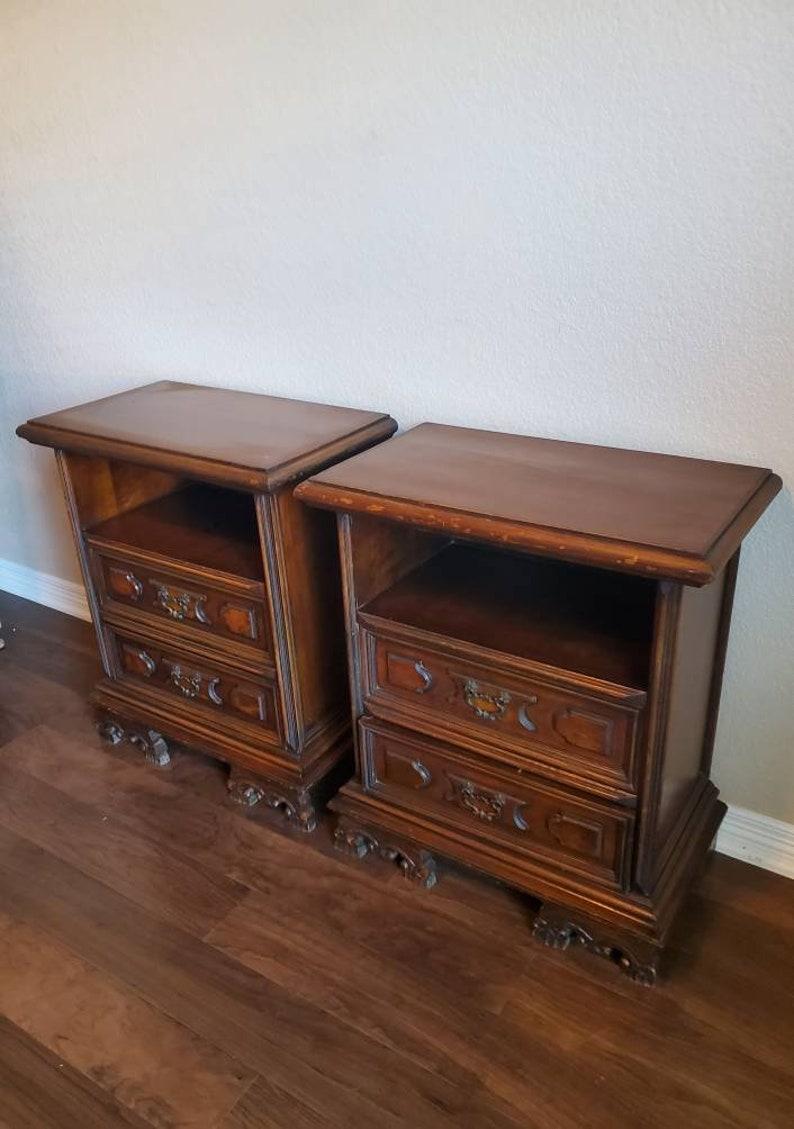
(211, 470)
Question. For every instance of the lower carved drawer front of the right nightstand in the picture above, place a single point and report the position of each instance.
(537, 820)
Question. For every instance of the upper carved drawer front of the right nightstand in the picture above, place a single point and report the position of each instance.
(538, 722)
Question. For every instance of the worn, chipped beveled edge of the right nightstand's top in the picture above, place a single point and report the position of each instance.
(563, 545)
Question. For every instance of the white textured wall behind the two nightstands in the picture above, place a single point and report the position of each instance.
(570, 220)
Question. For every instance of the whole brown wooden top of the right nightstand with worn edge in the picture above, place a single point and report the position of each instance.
(651, 514)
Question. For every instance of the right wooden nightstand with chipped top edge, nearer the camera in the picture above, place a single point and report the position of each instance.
(537, 637)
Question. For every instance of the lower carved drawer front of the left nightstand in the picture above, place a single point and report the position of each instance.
(197, 682)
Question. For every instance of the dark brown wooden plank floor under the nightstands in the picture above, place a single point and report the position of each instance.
(167, 960)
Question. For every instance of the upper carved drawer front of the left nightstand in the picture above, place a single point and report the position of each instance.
(186, 601)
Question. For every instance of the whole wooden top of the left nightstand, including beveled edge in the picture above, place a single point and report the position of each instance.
(240, 439)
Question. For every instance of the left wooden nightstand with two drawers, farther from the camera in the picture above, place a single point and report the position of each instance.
(215, 594)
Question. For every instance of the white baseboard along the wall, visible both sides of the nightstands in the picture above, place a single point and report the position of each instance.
(744, 835)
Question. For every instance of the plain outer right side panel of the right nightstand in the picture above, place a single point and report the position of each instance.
(690, 701)
